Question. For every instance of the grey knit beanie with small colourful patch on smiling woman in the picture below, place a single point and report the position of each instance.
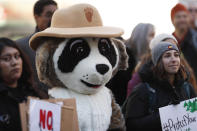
(160, 49)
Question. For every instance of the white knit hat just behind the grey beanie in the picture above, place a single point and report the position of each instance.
(160, 38)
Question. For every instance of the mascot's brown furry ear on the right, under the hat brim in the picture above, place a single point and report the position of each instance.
(123, 57)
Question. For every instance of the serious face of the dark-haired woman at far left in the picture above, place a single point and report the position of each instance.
(10, 64)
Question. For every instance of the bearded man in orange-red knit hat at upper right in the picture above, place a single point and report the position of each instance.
(186, 36)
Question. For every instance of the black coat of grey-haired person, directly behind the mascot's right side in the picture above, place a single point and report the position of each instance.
(118, 84)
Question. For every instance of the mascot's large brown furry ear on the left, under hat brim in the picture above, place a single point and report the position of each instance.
(44, 61)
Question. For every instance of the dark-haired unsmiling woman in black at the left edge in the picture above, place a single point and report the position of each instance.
(16, 83)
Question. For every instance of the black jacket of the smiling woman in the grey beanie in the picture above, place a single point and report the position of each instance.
(137, 114)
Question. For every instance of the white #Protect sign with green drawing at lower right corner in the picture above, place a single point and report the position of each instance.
(181, 117)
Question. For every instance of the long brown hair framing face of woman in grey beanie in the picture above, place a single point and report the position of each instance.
(161, 73)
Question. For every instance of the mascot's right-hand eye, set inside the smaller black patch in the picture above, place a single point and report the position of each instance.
(104, 45)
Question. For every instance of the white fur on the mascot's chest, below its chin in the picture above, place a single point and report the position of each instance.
(94, 111)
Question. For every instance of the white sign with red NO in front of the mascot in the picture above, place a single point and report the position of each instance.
(44, 116)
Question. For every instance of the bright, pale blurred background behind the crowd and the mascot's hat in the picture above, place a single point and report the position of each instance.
(16, 16)
